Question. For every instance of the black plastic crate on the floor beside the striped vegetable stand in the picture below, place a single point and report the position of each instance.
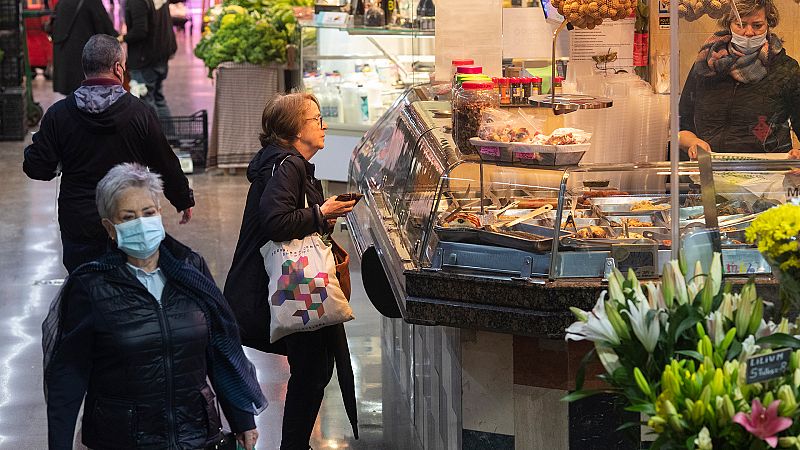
(190, 134)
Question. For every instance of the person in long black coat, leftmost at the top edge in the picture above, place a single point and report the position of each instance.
(75, 21)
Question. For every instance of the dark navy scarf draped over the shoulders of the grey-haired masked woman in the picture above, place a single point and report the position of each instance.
(232, 374)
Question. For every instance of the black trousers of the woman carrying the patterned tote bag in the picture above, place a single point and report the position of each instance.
(311, 365)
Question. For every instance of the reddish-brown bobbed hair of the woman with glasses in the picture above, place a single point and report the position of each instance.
(283, 118)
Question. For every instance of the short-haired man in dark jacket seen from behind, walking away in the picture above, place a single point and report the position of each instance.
(84, 135)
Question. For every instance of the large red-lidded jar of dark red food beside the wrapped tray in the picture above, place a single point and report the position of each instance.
(468, 105)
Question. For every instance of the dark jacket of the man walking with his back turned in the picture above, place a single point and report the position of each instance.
(84, 146)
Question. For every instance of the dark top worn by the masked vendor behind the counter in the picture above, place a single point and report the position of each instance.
(735, 117)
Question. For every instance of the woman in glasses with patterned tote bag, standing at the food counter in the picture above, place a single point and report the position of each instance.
(285, 202)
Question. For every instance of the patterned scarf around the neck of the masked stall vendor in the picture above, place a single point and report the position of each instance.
(718, 56)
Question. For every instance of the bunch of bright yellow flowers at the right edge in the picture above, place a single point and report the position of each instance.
(777, 231)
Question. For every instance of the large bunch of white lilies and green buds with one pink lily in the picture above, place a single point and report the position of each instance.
(678, 353)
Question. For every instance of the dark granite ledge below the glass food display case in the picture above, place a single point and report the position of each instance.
(520, 307)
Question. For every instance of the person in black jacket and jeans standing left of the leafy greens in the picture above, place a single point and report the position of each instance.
(151, 43)
